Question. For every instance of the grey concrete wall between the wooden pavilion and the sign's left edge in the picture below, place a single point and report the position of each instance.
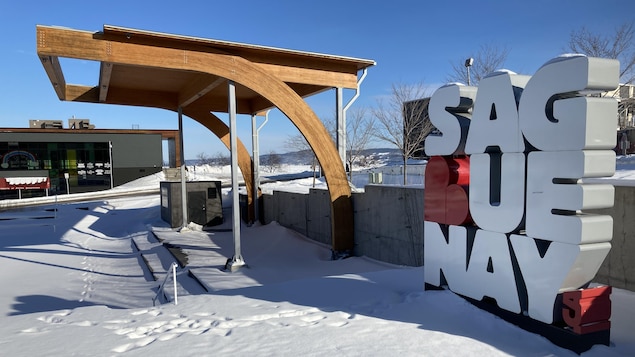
(388, 220)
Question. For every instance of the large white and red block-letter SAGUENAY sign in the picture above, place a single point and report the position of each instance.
(504, 201)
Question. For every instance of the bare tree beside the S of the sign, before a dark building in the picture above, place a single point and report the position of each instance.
(402, 120)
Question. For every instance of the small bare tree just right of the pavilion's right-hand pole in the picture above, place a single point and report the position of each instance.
(359, 133)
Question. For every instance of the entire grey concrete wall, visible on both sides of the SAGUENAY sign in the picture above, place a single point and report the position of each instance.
(389, 226)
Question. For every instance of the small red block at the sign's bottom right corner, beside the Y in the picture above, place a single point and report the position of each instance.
(587, 310)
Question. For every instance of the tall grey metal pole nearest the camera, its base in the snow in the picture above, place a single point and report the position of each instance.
(236, 262)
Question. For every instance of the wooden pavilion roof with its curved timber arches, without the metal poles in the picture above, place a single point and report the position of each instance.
(191, 75)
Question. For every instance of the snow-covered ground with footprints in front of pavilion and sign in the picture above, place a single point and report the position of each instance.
(74, 284)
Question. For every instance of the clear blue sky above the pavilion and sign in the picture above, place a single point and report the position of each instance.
(412, 41)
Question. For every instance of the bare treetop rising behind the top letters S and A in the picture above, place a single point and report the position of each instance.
(487, 59)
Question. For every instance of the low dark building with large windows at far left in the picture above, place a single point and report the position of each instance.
(78, 159)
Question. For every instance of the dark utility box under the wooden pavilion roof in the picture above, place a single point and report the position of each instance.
(204, 203)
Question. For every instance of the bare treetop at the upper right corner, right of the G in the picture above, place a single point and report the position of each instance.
(618, 45)
